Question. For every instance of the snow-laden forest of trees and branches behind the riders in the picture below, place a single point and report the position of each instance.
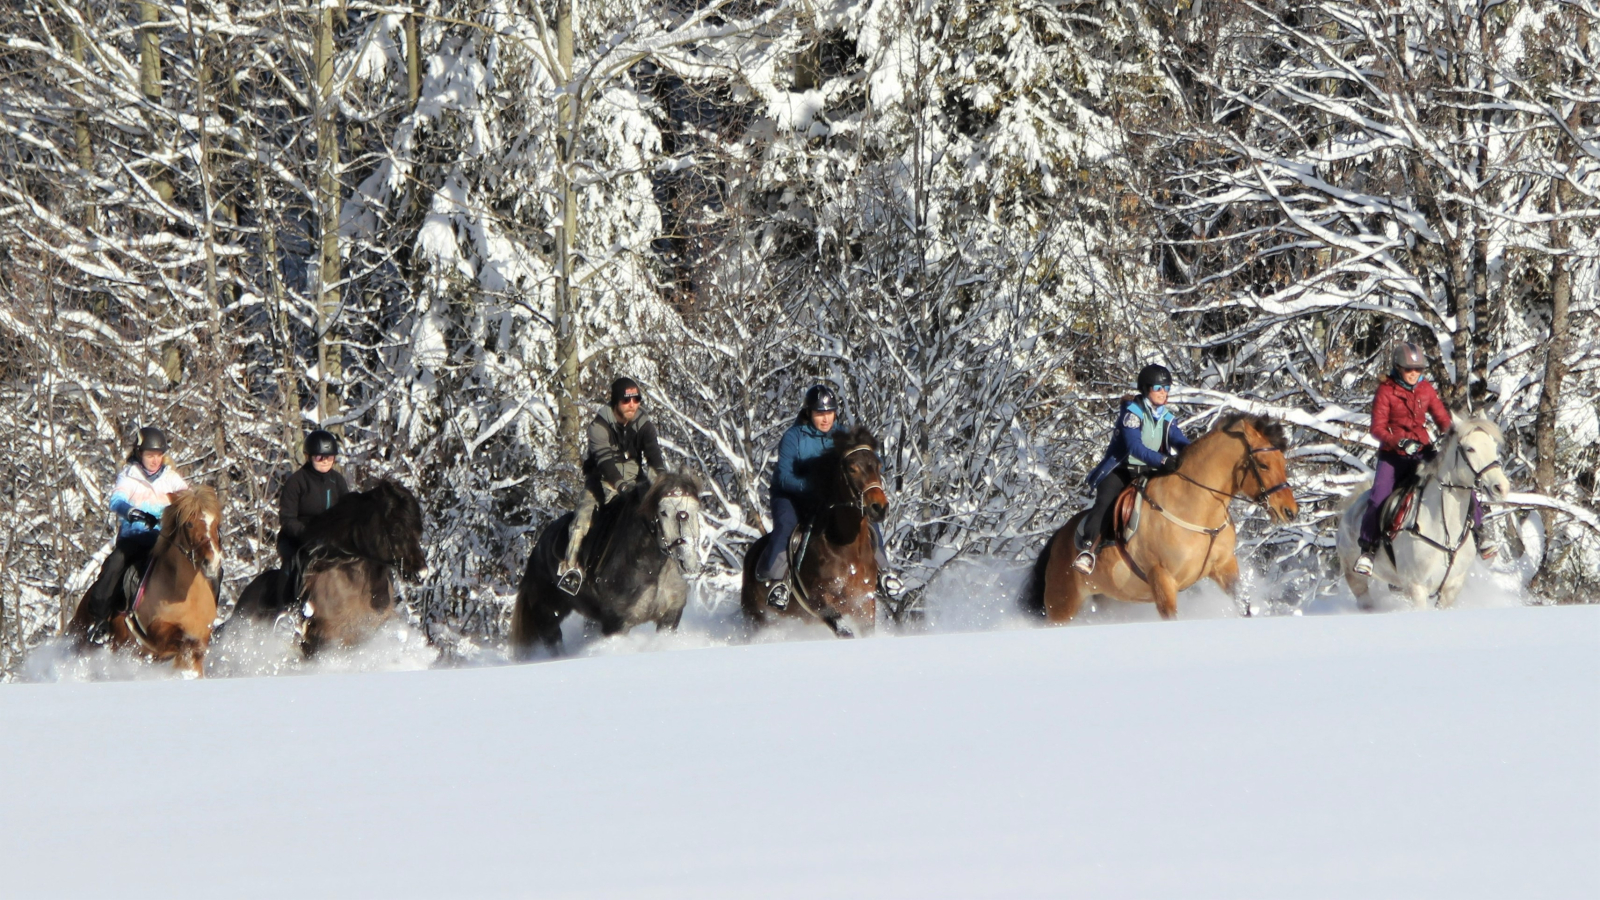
(442, 228)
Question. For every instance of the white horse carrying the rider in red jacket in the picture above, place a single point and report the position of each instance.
(1430, 560)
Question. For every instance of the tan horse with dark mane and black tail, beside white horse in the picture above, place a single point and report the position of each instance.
(1186, 534)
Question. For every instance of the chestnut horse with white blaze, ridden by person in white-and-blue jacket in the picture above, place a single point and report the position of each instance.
(172, 617)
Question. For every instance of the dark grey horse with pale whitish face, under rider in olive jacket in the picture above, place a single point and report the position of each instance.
(642, 545)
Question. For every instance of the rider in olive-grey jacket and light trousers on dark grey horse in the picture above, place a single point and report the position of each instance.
(622, 440)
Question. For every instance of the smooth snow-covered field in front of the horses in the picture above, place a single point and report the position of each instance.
(1409, 755)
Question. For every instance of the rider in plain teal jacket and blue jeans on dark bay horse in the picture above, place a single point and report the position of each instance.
(793, 491)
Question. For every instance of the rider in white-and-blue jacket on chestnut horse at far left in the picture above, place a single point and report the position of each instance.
(143, 491)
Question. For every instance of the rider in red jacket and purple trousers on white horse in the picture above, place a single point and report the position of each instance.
(1401, 411)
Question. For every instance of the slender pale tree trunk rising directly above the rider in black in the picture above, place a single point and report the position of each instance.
(329, 348)
